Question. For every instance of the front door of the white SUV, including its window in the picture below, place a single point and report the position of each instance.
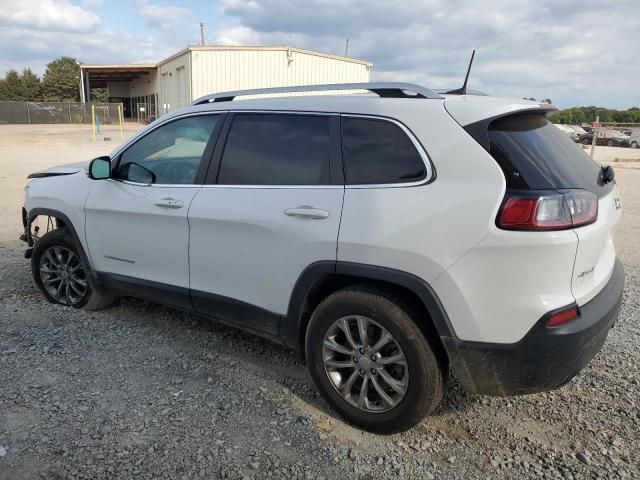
(136, 222)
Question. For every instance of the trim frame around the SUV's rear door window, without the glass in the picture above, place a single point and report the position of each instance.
(336, 172)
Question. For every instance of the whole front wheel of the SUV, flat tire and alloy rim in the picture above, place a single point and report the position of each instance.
(60, 272)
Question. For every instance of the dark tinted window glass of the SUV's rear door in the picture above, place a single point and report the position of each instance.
(276, 149)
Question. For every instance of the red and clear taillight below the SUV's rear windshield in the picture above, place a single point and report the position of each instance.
(548, 211)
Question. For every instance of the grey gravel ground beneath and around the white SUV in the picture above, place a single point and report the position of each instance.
(143, 391)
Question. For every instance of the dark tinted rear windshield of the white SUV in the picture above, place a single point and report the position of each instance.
(535, 155)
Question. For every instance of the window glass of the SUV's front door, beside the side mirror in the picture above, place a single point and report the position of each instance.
(170, 154)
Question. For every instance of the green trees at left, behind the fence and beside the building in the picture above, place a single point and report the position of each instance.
(60, 83)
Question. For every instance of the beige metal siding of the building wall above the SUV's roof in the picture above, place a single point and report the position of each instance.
(222, 70)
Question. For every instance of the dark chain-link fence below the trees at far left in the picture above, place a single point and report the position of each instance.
(57, 112)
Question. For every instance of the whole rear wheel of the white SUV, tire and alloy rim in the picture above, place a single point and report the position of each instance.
(372, 362)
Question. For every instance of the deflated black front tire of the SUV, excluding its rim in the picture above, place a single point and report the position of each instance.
(92, 299)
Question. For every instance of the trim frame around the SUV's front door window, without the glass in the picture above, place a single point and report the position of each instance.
(206, 155)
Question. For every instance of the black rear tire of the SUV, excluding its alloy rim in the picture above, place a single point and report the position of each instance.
(426, 375)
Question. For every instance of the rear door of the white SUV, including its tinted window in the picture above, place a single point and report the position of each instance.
(271, 207)
